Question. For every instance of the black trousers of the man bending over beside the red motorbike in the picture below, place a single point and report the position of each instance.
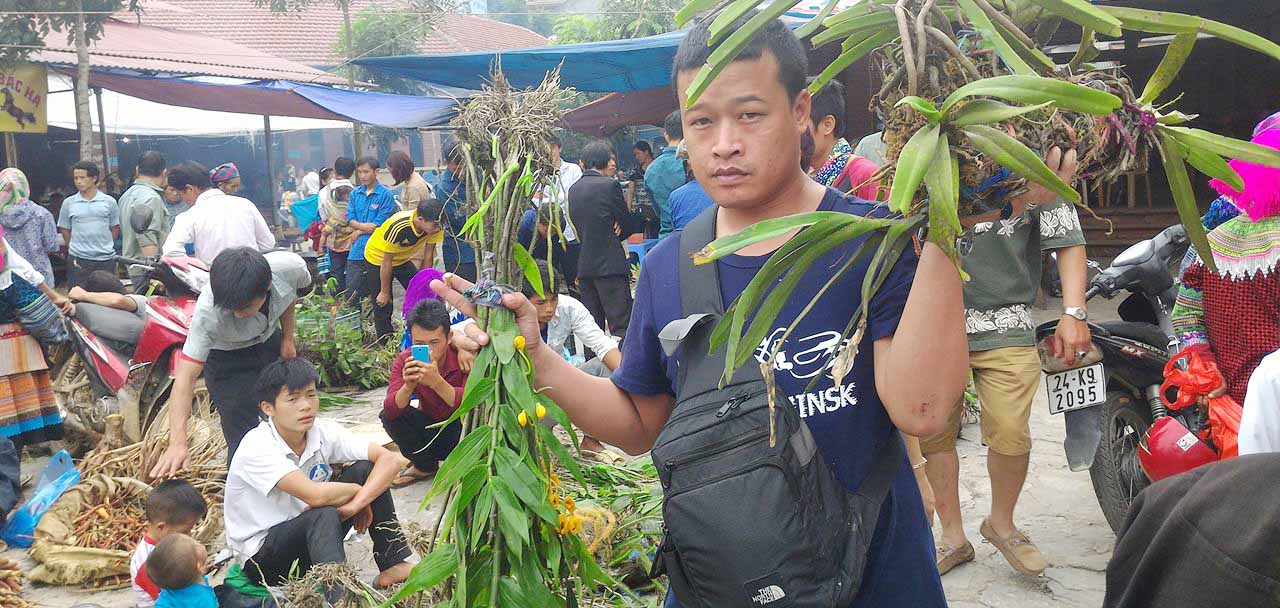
(231, 377)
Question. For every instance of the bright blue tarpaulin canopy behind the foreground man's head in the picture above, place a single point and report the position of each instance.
(615, 66)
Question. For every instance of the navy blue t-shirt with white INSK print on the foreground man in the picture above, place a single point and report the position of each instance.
(849, 424)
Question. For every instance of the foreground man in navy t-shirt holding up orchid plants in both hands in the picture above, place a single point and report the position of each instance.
(757, 108)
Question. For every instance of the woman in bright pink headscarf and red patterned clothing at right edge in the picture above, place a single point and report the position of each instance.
(1233, 317)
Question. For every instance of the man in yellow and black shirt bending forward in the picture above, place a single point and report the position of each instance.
(392, 250)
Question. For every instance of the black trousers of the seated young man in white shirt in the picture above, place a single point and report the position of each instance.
(316, 537)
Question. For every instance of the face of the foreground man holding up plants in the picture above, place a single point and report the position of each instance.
(743, 134)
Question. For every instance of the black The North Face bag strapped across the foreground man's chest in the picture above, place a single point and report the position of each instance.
(752, 514)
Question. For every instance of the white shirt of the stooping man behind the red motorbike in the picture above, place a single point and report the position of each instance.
(220, 222)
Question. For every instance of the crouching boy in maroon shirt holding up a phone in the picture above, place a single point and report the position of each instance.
(436, 386)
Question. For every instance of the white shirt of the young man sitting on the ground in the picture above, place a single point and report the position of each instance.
(254, 505)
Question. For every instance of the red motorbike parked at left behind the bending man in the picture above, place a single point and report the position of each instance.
(124, 364)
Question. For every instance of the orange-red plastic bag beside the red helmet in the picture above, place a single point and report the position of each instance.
(1200, 380)
